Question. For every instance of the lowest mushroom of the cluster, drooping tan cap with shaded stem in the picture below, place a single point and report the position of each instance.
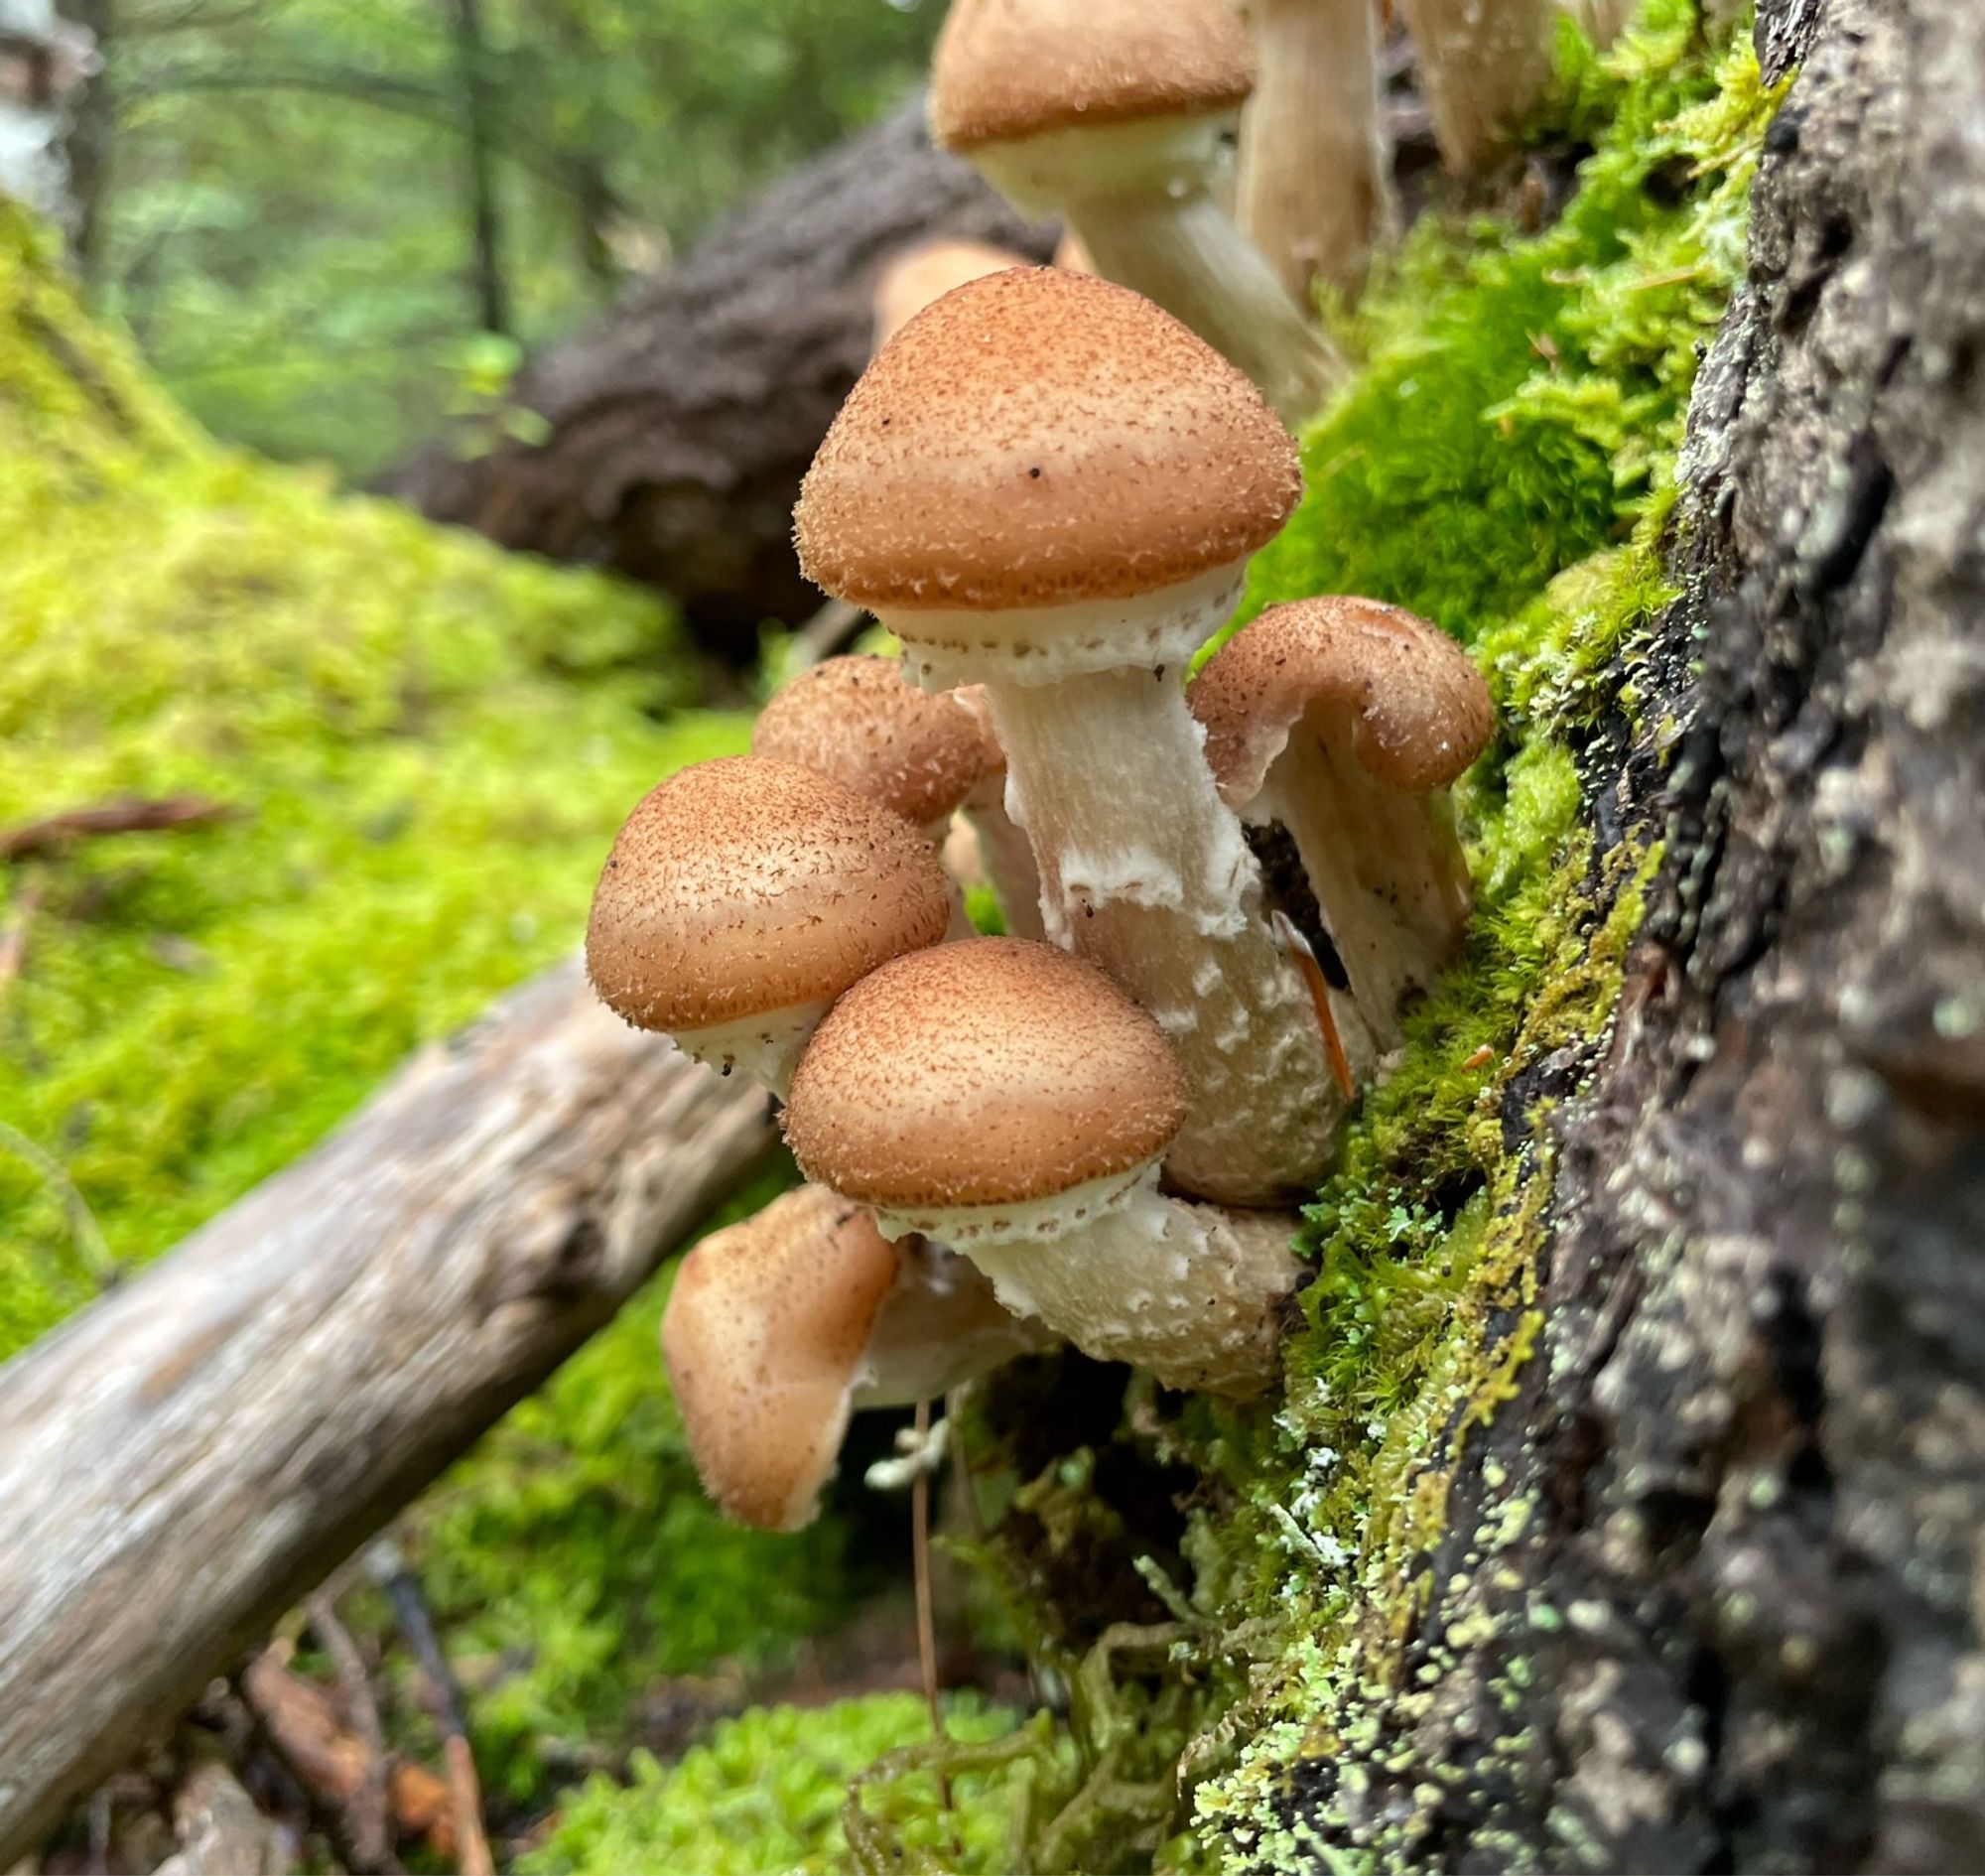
(783, 1327)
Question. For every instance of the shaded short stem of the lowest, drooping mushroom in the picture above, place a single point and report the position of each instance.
(938, 1329)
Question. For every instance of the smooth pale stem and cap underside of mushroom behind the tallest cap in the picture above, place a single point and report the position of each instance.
(1142, 200)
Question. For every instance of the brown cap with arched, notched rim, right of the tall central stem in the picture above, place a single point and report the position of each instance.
(1418, 708)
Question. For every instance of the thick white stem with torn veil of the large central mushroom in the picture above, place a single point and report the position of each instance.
(1146, 872)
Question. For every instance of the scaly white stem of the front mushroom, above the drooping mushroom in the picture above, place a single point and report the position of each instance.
(1190, 1293)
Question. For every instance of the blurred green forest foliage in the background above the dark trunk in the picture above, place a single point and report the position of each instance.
(285, 211)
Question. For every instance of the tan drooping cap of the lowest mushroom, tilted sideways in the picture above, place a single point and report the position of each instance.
(765, 1341)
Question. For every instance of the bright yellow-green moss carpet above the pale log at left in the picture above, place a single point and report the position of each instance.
(426, 745)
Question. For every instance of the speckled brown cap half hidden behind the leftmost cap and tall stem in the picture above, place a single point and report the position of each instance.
(862, 724)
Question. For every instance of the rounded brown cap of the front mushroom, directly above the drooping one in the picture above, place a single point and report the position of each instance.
(986, 1073)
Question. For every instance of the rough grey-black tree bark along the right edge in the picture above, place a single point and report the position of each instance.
(1742, 1625)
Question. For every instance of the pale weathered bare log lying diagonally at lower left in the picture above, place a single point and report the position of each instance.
(188, 1458)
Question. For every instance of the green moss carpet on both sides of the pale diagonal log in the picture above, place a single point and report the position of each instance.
(430, 745)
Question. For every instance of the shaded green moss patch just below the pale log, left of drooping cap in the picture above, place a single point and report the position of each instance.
(579, 1565)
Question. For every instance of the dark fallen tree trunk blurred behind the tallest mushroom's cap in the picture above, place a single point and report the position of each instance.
(680, 426)
